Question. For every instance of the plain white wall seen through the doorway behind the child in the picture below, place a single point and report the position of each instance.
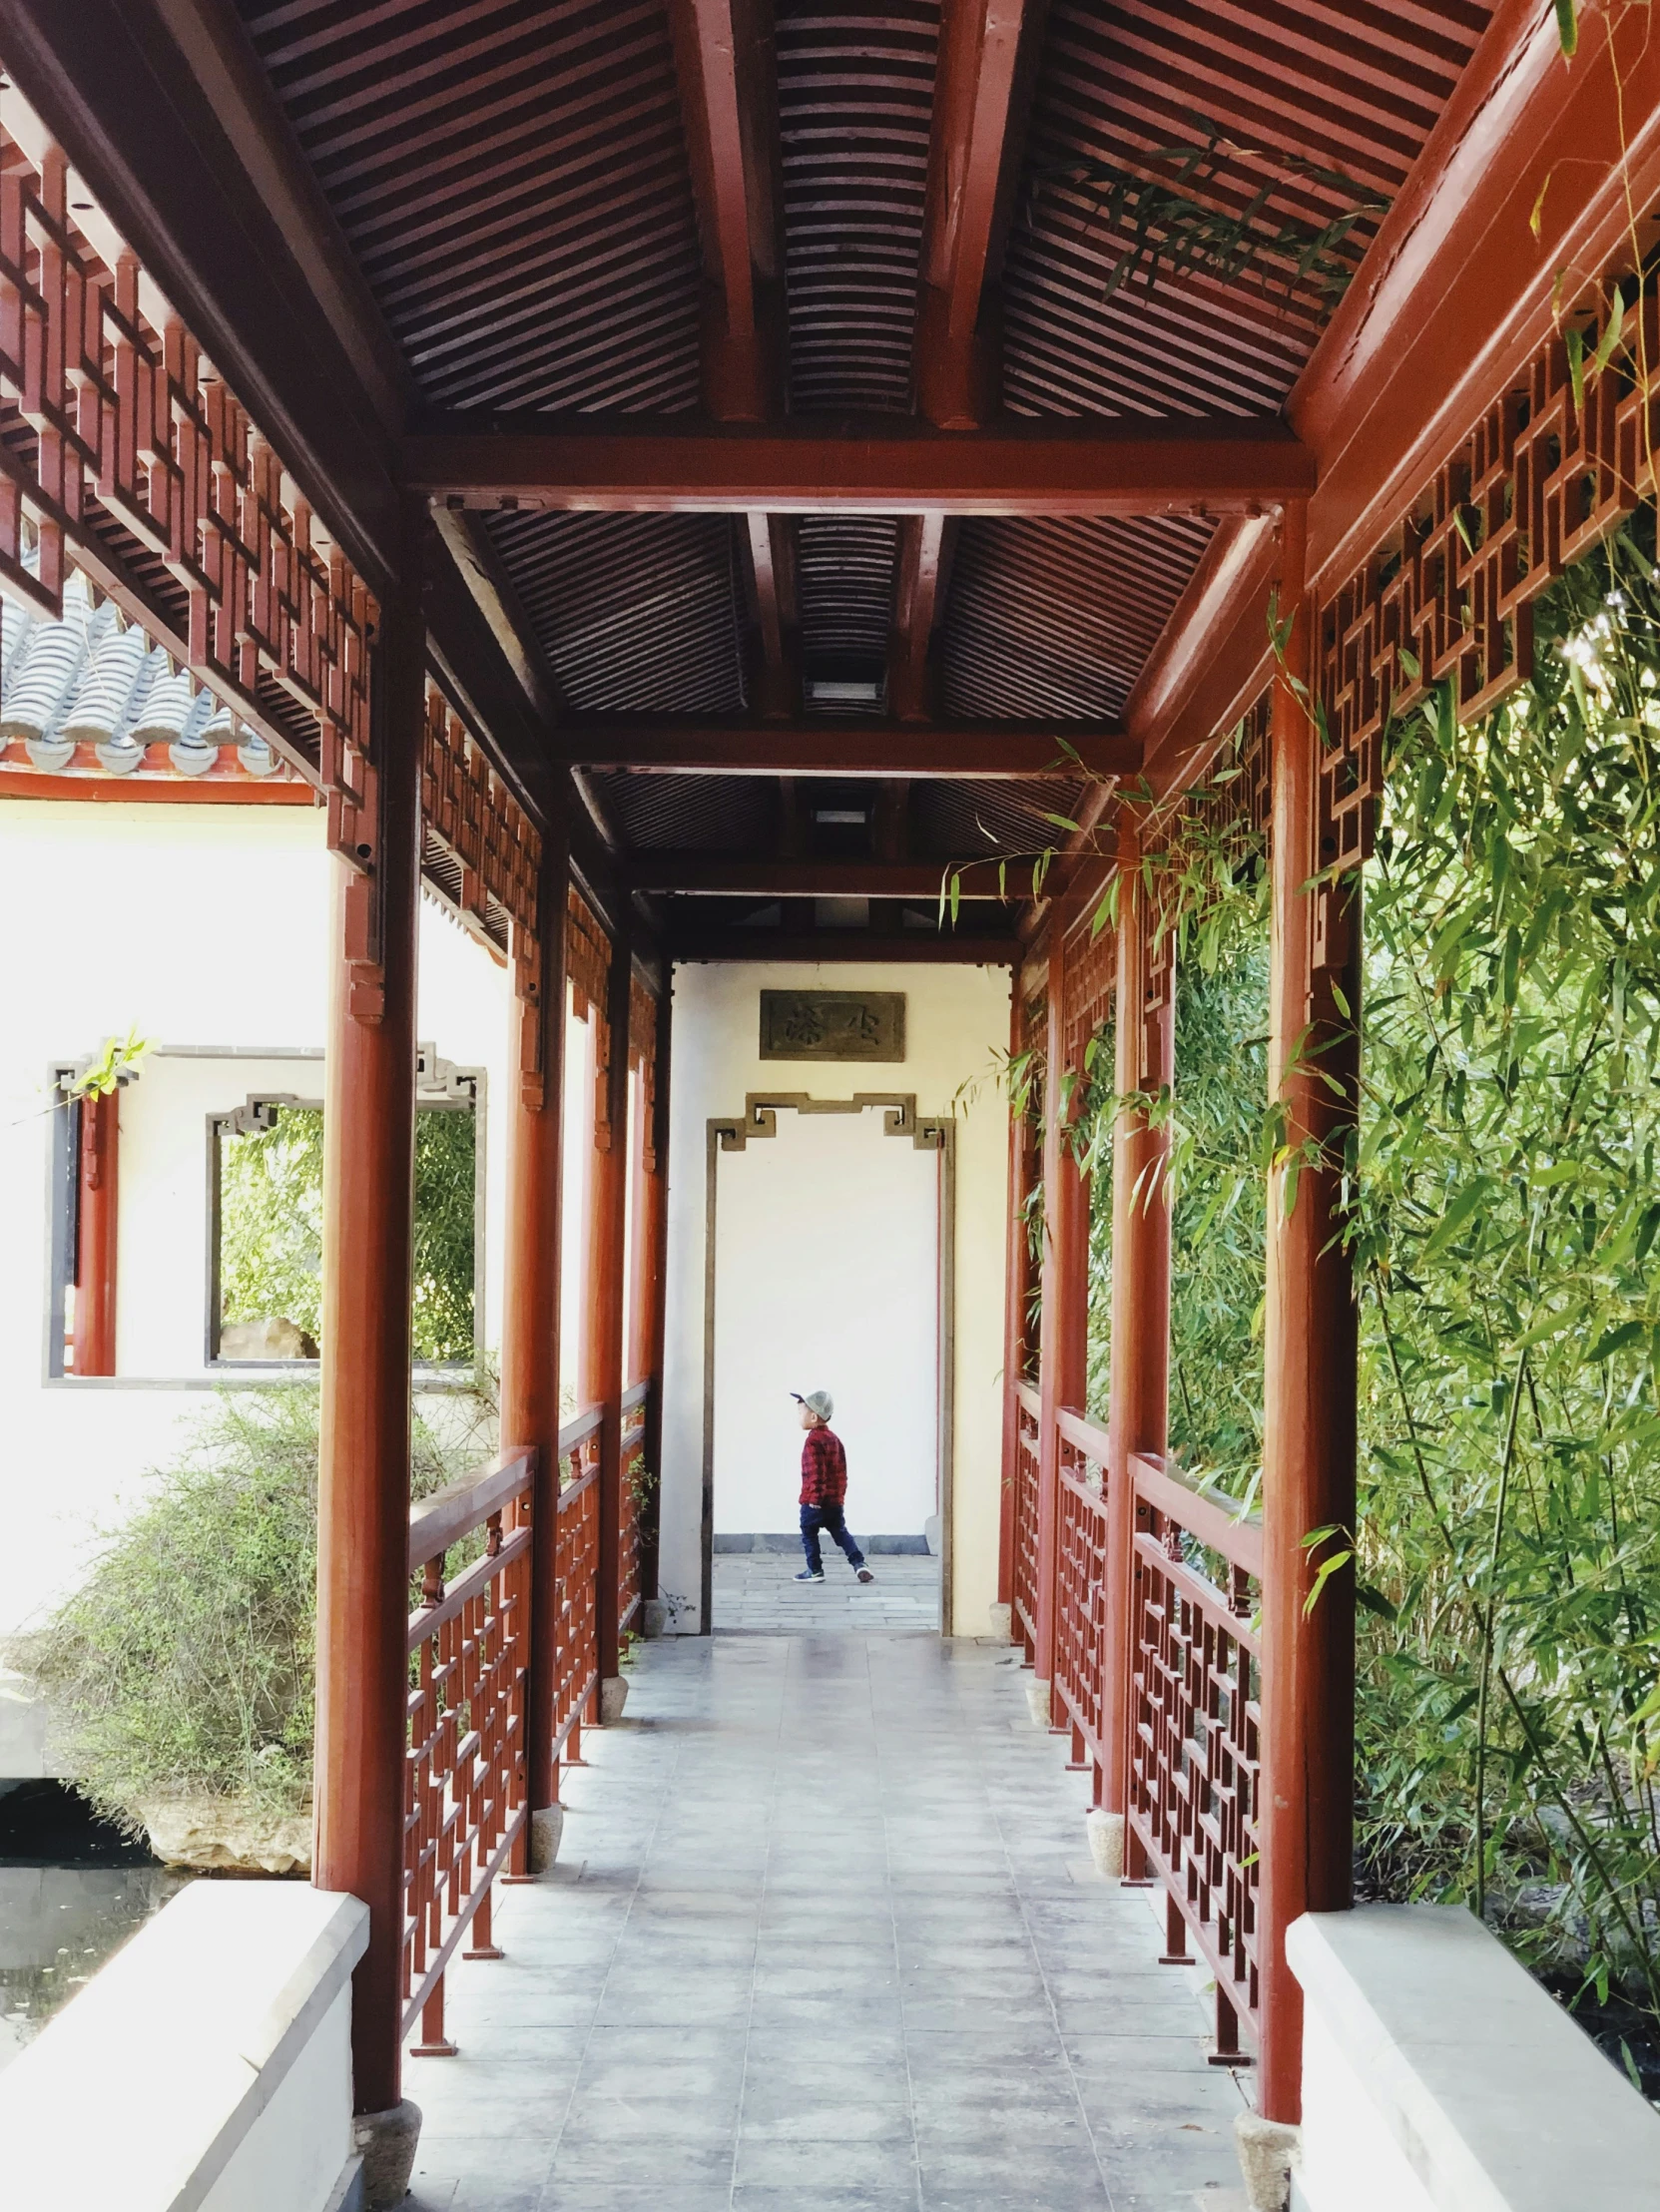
(827, 1277)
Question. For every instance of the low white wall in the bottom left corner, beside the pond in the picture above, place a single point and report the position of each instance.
(207, 2069)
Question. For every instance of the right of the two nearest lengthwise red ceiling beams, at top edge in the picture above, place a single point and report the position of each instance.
(982, 98)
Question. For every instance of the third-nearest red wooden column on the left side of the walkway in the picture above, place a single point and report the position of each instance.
(603, 1337)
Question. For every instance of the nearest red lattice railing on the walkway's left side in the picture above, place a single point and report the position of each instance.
(464, 1813)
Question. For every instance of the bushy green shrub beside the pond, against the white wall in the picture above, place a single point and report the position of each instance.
(185, 1665)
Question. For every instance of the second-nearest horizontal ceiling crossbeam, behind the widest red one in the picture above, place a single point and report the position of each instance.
(831, 749)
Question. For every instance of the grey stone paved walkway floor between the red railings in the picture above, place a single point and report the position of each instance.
(824, 1939)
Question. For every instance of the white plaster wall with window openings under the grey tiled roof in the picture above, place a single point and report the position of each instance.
(203, 928)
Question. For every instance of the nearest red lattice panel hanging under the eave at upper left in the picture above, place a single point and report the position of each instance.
(127, 419)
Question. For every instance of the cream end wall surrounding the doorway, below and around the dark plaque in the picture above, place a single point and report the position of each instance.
(957, 1021)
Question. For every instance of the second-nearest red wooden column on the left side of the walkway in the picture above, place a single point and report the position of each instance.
(532, 1288)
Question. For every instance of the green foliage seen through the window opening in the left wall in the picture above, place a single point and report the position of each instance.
(271, 1227)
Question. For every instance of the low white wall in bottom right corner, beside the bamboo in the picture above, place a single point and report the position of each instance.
(1442, 2078)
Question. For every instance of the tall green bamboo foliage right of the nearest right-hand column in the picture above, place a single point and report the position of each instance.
(1511, 1479)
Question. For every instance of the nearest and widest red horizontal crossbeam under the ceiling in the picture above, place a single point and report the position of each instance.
(886, 468)
